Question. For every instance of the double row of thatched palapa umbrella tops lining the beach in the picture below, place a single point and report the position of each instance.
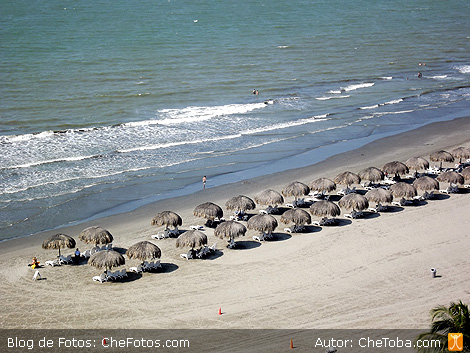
(265, 223)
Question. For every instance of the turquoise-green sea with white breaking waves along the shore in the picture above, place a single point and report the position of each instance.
(106, 105)
